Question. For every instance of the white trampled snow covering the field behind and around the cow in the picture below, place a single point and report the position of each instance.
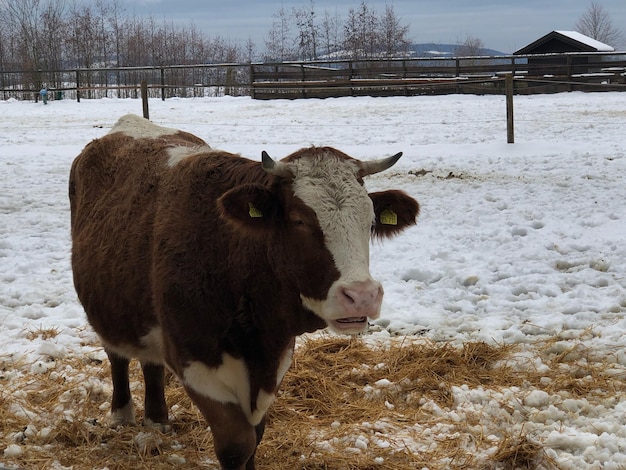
(516, 243)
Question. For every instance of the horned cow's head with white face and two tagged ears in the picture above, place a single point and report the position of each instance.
(320, 219)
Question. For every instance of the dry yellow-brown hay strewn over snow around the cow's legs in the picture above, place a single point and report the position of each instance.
(346, 403)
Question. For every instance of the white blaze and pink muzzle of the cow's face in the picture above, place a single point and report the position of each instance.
(330, 186)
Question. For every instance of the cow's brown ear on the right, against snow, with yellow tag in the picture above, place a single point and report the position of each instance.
(395, 211)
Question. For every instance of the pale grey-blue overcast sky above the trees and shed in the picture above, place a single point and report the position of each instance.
(506, 25)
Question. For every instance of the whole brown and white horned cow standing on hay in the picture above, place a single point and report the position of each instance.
(211, 264)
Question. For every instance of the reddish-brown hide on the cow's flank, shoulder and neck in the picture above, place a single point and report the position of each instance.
(149, 239)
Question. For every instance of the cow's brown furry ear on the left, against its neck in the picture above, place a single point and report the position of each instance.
(250, 207)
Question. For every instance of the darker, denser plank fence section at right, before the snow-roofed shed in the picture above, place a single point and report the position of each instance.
(477, 75)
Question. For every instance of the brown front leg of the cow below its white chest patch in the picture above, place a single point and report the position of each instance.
(234, 438)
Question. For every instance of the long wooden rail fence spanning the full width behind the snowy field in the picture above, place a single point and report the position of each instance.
(383, 77)
